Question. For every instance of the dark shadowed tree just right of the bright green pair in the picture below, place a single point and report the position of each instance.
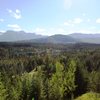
(81, 79)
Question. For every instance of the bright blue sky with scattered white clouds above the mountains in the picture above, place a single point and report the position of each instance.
(48, 17)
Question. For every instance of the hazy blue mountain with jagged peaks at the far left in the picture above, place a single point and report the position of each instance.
(10, 36)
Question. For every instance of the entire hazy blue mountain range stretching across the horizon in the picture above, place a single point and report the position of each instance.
(21, 36)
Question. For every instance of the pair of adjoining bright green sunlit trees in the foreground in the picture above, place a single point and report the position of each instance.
(62, 82)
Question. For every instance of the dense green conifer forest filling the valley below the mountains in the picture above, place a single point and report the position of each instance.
(49, 72)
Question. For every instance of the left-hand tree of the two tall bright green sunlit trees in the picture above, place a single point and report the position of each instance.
(56, 83)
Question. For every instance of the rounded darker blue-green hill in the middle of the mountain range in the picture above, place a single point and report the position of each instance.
(57, 39)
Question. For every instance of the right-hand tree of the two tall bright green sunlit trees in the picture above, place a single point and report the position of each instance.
(69, 80)
